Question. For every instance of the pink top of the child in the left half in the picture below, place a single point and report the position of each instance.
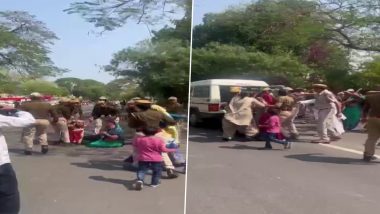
(149, 148)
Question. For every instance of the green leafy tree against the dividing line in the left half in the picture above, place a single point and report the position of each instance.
(161, 69)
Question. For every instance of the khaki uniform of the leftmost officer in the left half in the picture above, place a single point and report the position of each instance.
(42, 112)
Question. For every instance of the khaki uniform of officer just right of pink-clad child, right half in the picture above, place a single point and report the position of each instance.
(288, 113)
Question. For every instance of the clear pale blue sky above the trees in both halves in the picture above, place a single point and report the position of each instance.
(81, 51)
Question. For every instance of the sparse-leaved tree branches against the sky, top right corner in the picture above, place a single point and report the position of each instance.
(354, 24)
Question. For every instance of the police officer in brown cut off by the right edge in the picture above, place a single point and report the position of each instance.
(371, 116)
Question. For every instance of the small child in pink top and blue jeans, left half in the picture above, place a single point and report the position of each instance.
(149, 149)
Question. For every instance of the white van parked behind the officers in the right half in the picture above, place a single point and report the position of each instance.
(208, 97)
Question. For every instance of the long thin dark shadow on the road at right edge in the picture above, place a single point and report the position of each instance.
(320, 158)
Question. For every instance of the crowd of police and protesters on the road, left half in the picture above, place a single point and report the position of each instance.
(155, 142)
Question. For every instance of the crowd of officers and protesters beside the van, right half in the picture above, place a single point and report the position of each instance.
(269, 117)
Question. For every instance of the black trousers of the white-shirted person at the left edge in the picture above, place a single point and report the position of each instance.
(9, 195)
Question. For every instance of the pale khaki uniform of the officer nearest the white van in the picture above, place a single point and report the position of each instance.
(239, 117)
